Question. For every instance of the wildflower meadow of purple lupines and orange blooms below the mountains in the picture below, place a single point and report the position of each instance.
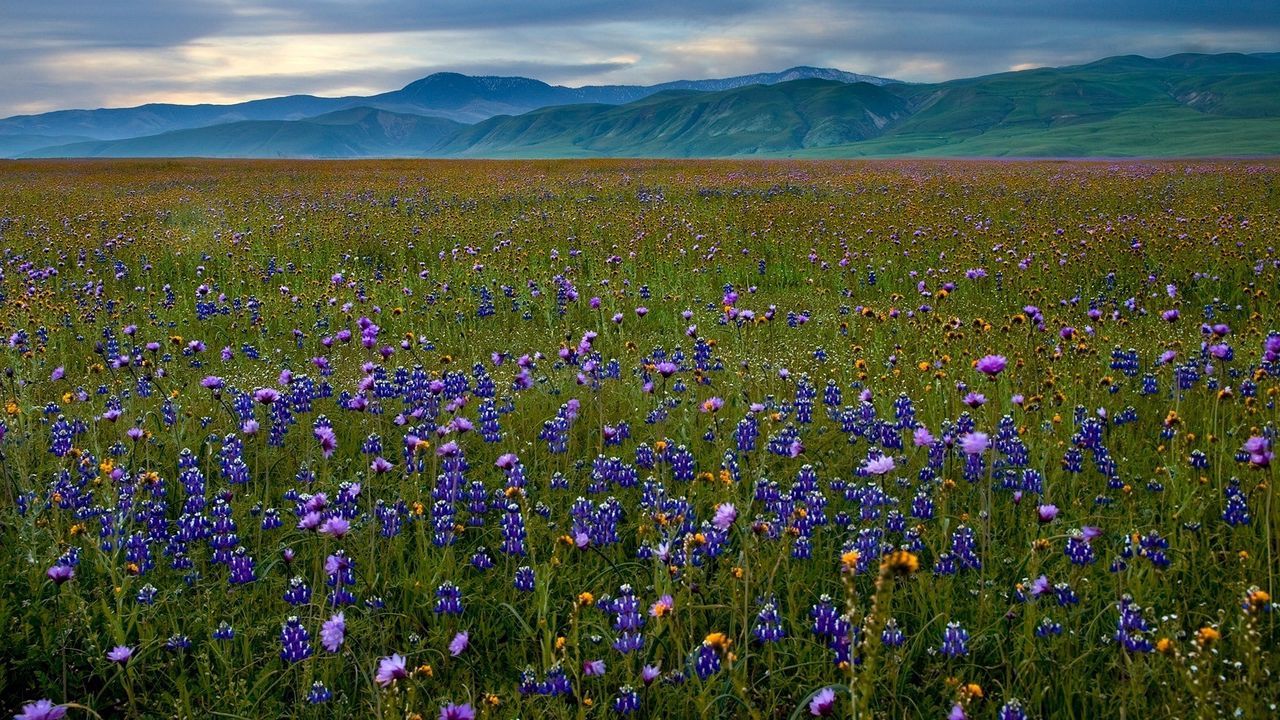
(664, 440)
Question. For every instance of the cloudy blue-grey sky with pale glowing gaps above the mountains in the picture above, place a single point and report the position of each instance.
(120, 53)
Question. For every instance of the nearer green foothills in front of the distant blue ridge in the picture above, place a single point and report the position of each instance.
(1118, 107)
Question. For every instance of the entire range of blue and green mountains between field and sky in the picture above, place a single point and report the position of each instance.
(1128, 106)
